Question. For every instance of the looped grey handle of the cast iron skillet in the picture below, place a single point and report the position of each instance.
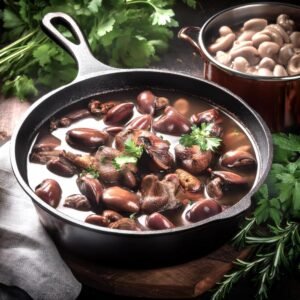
(87, 63)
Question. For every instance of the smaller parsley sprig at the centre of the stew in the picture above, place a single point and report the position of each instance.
(131, 154)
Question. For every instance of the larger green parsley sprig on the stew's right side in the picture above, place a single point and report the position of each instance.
(202, 137)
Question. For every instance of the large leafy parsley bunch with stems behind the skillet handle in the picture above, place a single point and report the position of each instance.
(128, 33)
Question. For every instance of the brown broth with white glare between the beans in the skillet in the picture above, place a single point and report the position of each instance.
(37, 172)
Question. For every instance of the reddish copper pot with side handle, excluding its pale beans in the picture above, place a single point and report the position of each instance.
(276, 99)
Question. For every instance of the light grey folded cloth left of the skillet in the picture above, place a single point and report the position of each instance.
(28, 257)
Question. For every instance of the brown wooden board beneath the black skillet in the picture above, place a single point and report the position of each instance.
(187, 280)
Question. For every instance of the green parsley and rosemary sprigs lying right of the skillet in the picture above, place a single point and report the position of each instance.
(273, 230)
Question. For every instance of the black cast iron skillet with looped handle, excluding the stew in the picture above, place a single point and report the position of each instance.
(127, 247)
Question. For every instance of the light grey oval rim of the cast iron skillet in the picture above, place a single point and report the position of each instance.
(234, 211)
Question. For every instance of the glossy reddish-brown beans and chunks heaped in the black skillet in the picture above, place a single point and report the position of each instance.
(161, 180)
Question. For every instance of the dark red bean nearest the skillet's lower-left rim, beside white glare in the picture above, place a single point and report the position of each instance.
(49, 191)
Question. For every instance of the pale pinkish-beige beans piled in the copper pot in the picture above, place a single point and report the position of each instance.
(259, 48)
